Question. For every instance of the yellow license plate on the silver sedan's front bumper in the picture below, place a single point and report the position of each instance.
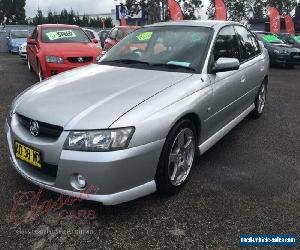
(28, 155)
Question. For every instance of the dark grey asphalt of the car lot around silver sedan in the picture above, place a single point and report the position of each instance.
(248, 183)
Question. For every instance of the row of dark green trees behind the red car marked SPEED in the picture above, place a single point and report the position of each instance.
(70, 17)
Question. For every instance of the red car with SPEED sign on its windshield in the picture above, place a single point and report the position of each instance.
(55, 48)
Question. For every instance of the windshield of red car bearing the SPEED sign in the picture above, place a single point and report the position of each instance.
(64, 35)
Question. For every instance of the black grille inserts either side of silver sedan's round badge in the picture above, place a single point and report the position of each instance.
(45, 129)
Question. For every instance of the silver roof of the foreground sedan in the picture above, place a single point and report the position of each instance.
(197, 23)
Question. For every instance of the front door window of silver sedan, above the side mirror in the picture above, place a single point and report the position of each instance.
(226, 44)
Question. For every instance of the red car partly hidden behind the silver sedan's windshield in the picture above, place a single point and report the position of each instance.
(116, 34)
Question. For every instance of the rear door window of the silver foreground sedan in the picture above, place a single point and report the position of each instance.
(249, 45)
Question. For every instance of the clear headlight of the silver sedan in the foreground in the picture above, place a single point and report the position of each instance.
(99, 140)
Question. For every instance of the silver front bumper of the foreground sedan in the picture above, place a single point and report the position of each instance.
(119, 176)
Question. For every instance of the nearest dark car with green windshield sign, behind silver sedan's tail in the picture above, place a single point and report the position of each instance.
(281, 54)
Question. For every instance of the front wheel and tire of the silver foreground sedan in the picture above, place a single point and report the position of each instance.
(177, 158)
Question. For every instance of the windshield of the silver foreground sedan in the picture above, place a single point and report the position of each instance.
(167, 47)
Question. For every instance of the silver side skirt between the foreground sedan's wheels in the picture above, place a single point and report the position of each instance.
(225, 130)
